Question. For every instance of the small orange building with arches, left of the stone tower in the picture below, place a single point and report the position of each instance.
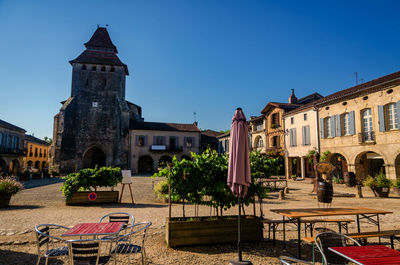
(37, 154)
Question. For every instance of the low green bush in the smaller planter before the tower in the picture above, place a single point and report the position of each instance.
(89, 179)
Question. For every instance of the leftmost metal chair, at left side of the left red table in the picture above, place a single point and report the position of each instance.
(48, 245)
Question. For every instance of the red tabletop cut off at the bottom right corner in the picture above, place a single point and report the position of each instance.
(368, 255)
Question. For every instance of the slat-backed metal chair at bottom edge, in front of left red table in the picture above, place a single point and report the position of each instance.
(86, 252)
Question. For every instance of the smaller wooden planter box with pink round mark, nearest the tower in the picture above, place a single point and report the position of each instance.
(82, 197)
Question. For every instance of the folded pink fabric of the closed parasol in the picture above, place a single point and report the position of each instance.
(239, 177)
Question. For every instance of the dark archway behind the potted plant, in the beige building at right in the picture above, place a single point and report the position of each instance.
(369, 164)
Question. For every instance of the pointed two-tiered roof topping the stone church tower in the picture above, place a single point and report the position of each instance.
(100, 50)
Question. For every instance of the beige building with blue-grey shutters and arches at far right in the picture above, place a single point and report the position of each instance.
(360, 127)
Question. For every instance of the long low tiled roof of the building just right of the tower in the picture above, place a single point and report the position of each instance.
(161, 126)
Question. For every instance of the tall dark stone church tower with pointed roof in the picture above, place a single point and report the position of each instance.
(92, 127)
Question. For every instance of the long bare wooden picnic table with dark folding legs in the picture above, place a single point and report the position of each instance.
(294, 216)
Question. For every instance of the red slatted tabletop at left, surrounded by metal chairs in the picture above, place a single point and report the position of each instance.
(95, 229)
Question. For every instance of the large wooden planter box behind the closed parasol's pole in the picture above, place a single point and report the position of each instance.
(205, 231)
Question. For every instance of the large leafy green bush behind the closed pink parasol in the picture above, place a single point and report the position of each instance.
(203, 180)
